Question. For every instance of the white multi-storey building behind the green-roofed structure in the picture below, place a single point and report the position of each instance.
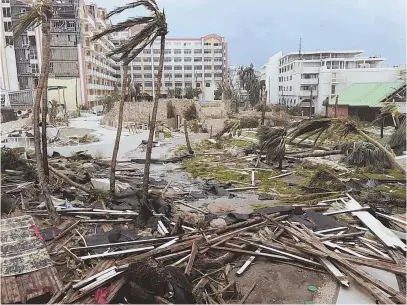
(291, 77)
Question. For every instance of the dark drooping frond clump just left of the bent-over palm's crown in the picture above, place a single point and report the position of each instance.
(272, 142)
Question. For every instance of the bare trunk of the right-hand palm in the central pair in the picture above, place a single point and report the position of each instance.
(146, 177)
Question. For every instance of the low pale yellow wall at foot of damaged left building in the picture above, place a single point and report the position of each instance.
(70, 95)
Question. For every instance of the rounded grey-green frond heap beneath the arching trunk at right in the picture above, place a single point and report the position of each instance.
(363, 154)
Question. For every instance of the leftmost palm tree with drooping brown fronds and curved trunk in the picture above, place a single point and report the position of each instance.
(40, 15)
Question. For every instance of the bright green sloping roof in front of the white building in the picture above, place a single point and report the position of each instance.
(367, 94)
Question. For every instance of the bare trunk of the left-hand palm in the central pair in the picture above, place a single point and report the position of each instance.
(119, 130)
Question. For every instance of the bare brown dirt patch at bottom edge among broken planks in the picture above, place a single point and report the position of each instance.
(284, 284)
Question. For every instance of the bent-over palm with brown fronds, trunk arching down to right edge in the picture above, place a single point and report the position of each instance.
(328, 127)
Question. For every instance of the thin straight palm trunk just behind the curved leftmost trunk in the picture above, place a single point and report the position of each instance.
(46, 49)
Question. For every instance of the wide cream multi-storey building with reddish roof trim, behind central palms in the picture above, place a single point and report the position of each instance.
(188, 62)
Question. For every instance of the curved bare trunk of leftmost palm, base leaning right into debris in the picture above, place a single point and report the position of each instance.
(42, 86)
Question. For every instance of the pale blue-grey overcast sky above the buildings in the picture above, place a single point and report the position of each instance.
(257, 29)
